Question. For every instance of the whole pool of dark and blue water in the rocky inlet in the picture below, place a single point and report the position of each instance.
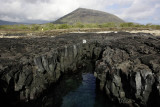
(78, 90)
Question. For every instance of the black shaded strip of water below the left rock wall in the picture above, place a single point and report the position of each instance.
(68, 83)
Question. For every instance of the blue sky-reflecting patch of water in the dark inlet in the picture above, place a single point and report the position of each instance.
(84, 95)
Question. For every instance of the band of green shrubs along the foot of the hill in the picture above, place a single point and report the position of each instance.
(51, 26)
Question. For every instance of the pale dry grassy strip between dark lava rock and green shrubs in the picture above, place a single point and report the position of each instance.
(56, 32)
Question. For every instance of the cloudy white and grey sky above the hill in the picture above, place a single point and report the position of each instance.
(140, 11)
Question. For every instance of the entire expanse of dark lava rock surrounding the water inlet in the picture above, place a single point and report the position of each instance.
(126, 64)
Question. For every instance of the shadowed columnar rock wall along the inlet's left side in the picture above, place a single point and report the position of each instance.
(31, 80)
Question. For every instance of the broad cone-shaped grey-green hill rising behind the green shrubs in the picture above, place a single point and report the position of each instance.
(83, 15)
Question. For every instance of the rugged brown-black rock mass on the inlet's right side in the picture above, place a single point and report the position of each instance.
(129, 71)
